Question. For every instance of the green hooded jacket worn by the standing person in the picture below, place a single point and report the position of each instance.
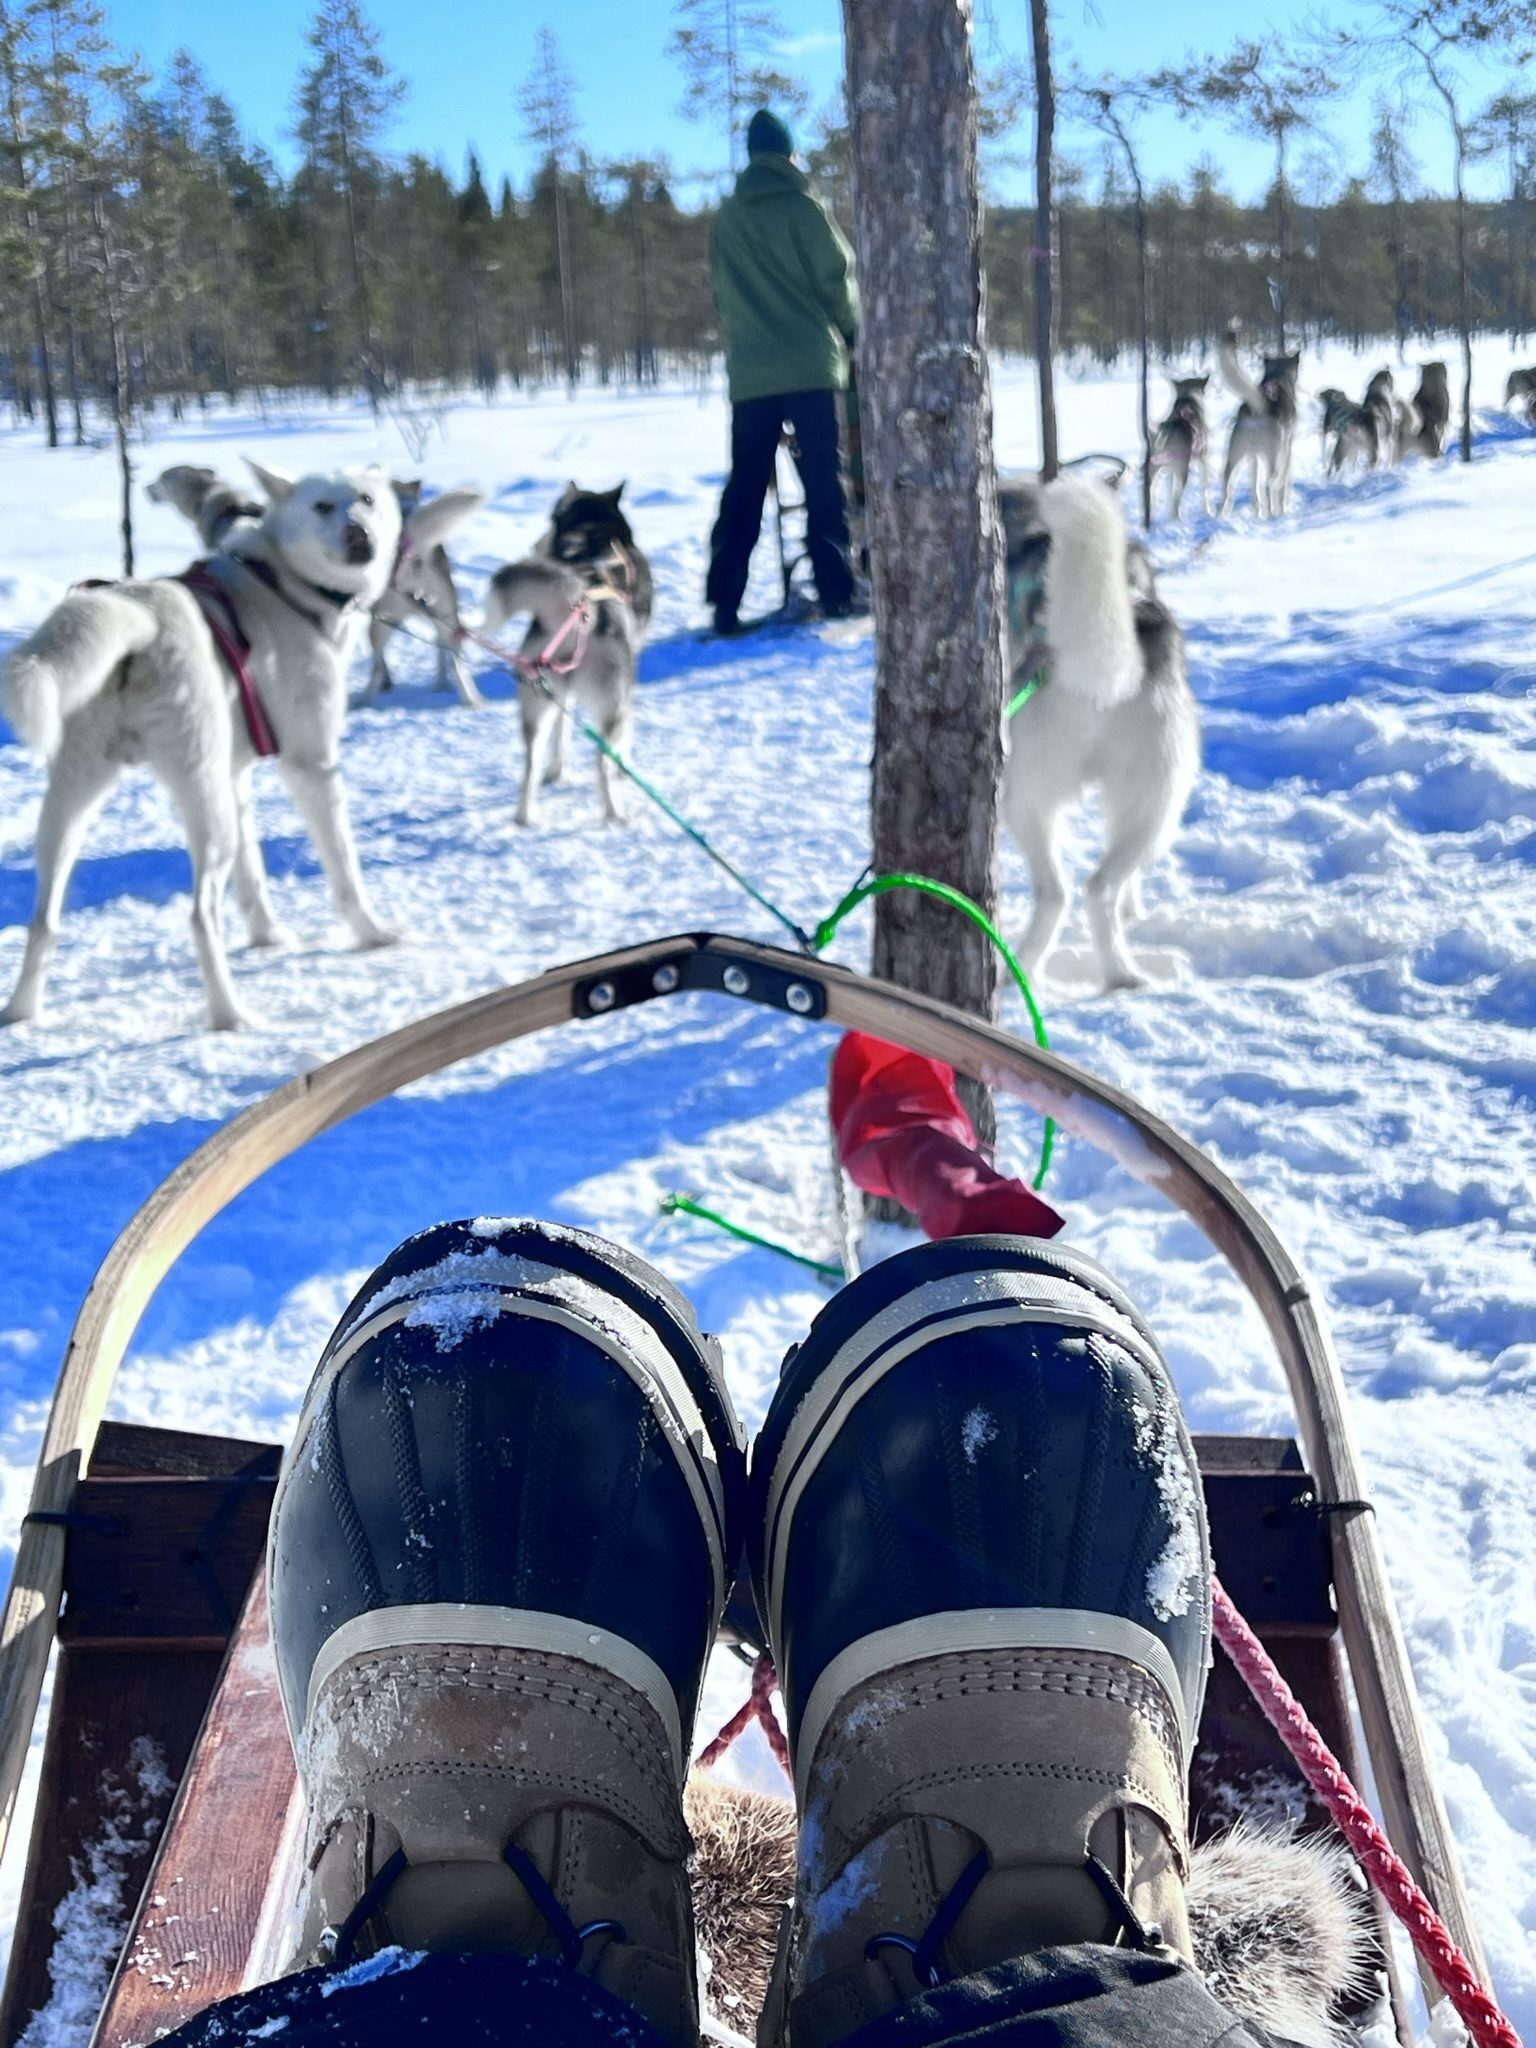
(783, 286)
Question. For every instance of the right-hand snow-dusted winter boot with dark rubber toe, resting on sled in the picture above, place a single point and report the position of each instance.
(984, 1570)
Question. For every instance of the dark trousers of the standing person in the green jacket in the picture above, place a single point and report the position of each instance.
(757, 425)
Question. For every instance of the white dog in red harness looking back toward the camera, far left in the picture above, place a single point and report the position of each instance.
(132, 673)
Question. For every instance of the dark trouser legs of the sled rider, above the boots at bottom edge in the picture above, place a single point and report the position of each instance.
(1060, 1998)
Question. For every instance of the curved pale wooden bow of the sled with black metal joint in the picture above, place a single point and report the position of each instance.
(1105, 1117)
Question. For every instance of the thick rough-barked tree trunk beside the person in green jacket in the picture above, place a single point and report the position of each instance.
(933, 493)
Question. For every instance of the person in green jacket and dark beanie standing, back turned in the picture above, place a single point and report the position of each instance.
(790, 306)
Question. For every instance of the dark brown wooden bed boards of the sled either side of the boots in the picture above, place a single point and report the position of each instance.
(167, 1699)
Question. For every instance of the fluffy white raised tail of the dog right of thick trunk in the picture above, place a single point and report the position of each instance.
(1089, 617)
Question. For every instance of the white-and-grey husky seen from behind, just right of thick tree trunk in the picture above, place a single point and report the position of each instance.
(1115, 710)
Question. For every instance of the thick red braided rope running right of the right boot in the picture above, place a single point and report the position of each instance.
(1353, 1818)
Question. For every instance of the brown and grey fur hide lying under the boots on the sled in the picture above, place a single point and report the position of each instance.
(1281, 1930)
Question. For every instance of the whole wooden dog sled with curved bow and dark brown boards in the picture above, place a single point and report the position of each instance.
(142, 1553)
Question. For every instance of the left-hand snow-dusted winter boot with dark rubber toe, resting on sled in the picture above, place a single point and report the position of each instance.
(501, 1545)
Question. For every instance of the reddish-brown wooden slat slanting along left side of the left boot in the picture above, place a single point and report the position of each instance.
(191, 1938)
